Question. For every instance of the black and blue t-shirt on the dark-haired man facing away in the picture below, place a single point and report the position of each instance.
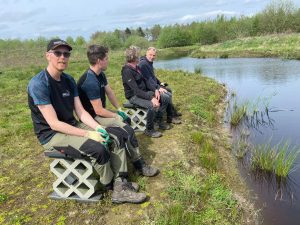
(90, 87)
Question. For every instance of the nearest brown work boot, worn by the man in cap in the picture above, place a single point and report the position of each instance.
(123, 193)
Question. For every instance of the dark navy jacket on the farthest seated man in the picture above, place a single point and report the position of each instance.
(147, 70)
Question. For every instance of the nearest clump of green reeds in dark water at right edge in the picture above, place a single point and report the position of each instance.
(278, 159)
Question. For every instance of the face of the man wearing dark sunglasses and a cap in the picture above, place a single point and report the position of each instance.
(58, 58)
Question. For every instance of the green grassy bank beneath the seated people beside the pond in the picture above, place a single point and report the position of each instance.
(198, 184)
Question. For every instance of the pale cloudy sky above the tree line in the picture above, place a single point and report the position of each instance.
(26, 19)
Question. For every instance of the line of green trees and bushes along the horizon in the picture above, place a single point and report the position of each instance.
(279, 16)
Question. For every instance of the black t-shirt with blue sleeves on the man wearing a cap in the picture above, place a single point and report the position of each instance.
(43, 90)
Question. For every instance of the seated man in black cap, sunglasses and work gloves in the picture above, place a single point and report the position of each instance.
(52, 99)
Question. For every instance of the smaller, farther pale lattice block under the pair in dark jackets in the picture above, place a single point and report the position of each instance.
(138, 118)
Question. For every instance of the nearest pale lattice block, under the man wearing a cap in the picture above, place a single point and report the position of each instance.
(74, 178)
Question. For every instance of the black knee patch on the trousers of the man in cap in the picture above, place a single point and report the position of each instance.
(95, 150)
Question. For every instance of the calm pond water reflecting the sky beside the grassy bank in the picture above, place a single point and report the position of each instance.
(258, 80)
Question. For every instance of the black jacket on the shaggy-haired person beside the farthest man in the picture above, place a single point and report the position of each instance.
(135, 84)
